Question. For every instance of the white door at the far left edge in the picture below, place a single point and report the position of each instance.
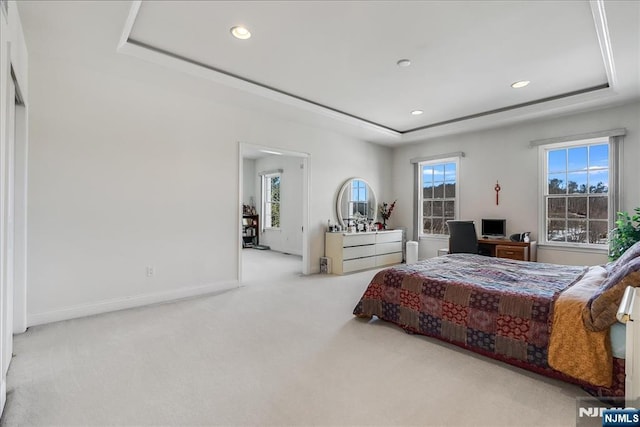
(6, 237)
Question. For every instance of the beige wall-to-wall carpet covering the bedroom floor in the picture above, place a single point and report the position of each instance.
(282, 350)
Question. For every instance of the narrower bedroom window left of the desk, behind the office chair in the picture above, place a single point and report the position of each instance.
(437, 195)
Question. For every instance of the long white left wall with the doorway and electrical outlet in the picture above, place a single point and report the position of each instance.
(133, 165)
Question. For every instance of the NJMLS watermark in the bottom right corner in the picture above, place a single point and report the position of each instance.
(615, 412)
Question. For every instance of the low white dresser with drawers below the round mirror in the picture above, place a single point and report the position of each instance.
(359, 251)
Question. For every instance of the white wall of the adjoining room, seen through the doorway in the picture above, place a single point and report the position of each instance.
(288, 238)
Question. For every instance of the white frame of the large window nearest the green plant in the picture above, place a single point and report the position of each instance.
(543, 193)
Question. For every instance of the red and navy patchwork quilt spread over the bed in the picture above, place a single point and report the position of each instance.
(497, 307)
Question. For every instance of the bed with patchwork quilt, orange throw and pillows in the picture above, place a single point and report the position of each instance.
(555, 320)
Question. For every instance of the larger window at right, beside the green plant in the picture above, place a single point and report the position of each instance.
(577, 186)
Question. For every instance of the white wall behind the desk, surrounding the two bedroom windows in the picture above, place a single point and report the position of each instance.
(503, 154)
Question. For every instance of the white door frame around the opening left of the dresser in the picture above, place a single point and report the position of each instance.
(243, 147)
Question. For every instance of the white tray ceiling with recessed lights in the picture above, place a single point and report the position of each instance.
(335, 62)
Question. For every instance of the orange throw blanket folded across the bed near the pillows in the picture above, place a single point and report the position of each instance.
(573, 350)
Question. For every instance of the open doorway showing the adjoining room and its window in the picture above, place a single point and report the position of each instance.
(274, 210)
